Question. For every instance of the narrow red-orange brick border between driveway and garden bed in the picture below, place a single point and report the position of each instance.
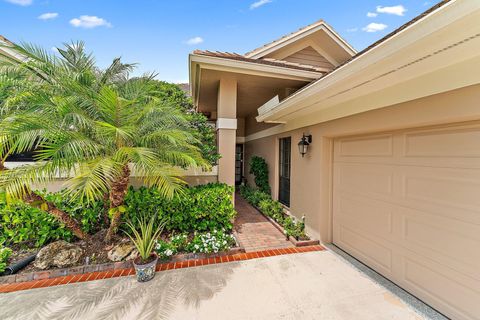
(121, 272)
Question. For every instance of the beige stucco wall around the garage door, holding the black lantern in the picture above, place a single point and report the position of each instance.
(311, 176)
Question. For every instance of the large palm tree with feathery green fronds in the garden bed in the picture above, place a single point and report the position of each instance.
(95, 128)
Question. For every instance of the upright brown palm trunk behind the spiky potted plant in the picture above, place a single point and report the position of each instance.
(117, 197)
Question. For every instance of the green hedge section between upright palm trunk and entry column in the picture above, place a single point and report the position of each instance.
(201, 208)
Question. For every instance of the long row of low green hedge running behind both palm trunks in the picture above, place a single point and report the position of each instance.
(203, 208)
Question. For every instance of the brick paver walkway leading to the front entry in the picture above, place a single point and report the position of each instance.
(254, 231)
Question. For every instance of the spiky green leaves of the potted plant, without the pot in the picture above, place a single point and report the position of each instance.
(145, 238)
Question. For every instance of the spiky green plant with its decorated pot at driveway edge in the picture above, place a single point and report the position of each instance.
(144, 240)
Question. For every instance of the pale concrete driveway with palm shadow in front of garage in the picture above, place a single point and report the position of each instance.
(314, 285)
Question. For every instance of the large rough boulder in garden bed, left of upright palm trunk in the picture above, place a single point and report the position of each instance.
(59, 254)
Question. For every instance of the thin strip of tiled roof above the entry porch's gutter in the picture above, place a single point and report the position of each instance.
(271, 62)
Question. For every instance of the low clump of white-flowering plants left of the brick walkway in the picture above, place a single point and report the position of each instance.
(211, 242)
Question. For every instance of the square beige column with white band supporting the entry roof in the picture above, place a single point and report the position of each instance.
(227, 129)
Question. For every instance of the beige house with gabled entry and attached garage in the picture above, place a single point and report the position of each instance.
(392, 170)
